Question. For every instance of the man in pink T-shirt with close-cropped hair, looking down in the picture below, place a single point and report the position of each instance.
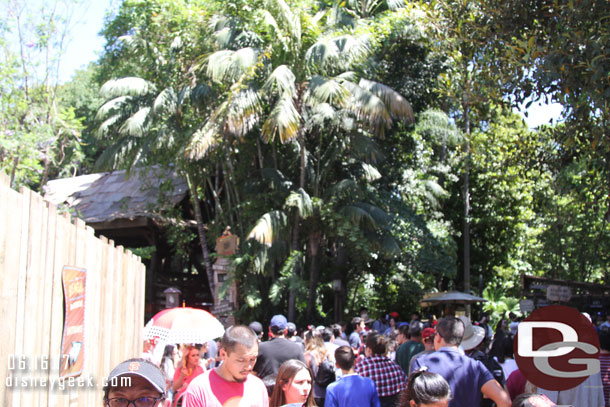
(231, 383)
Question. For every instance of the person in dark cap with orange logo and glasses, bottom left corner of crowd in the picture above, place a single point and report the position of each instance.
(135, 382)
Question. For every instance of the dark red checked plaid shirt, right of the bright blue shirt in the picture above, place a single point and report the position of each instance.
(386, 374)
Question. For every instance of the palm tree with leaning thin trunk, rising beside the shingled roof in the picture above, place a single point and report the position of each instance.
(146, 127)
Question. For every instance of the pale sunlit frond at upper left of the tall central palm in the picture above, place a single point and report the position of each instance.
(227, 65)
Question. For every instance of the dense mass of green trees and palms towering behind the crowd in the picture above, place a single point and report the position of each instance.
(294, 122)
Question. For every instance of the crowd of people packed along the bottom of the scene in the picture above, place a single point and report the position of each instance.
(370, 363)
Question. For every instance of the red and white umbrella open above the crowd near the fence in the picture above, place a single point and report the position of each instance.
(183, 325)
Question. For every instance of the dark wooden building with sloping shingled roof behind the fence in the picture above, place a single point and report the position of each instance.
(136, 210)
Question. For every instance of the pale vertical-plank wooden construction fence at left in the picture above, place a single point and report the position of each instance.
(36, 242)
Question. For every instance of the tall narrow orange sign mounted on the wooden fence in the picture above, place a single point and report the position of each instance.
(72, 346)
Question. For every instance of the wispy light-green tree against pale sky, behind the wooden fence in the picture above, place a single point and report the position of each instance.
(38, 136)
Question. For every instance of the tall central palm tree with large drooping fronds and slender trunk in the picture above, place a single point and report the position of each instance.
(298, 78)
